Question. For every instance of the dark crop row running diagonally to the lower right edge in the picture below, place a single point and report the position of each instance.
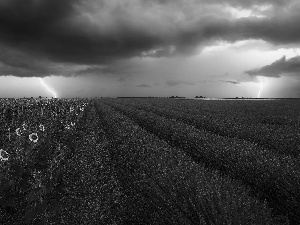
(274, 177)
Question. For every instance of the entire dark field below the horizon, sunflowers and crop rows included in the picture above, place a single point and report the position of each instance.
(149, 161)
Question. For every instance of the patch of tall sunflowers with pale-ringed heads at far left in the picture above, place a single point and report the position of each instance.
(36, 135)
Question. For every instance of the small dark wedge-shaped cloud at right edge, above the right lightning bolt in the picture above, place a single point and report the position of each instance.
(278, 68)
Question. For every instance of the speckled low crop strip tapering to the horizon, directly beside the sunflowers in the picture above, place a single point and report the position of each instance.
(91, 191)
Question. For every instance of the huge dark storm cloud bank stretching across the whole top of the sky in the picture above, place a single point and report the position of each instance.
(99, 32)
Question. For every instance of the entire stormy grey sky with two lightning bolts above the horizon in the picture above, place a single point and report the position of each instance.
(110, 48)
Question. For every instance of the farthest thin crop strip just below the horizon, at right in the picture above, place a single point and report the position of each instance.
(270, 112)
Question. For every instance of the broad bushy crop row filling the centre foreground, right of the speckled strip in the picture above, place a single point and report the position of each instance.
(164, 186)
